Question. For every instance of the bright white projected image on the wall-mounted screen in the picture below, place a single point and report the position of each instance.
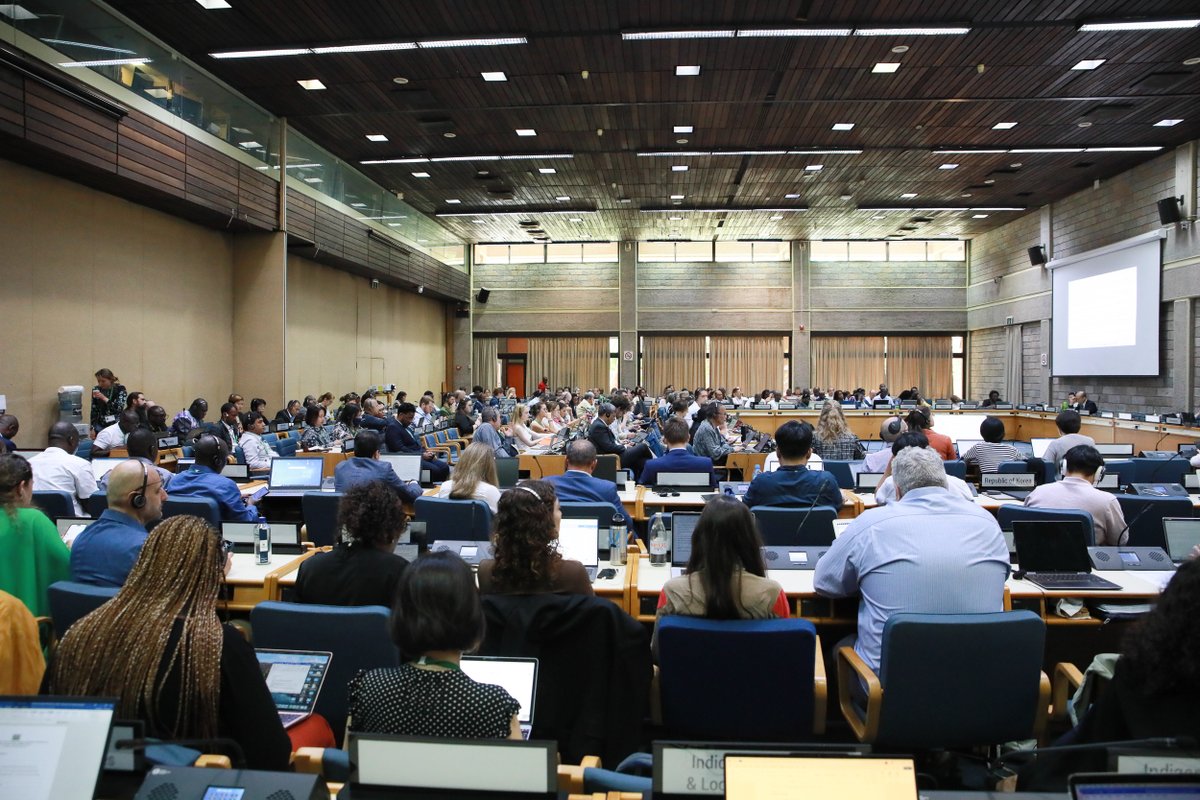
(1099, 311)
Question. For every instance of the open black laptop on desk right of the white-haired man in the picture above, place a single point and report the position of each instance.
(1054, 556)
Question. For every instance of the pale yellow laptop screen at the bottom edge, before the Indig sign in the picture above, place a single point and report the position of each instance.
(753, 778)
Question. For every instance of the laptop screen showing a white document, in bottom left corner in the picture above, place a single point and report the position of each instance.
(53, 747)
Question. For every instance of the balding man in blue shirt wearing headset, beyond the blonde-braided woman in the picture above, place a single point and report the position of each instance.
(105, 554)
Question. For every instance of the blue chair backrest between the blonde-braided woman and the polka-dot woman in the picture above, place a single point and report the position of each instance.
(356, 635)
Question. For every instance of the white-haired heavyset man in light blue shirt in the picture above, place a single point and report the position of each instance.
(932, 552)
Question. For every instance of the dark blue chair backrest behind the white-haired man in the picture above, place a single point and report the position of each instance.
(987, 694)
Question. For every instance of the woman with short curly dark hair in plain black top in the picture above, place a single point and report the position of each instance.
(363, 569)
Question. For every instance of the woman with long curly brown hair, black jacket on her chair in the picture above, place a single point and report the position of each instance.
(525, 555)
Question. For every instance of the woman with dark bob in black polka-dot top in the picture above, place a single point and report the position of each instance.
(437, 617)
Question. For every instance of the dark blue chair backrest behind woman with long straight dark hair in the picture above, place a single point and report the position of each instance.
(699, 655)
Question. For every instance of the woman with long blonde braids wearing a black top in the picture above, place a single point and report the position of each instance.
(160, 649)
